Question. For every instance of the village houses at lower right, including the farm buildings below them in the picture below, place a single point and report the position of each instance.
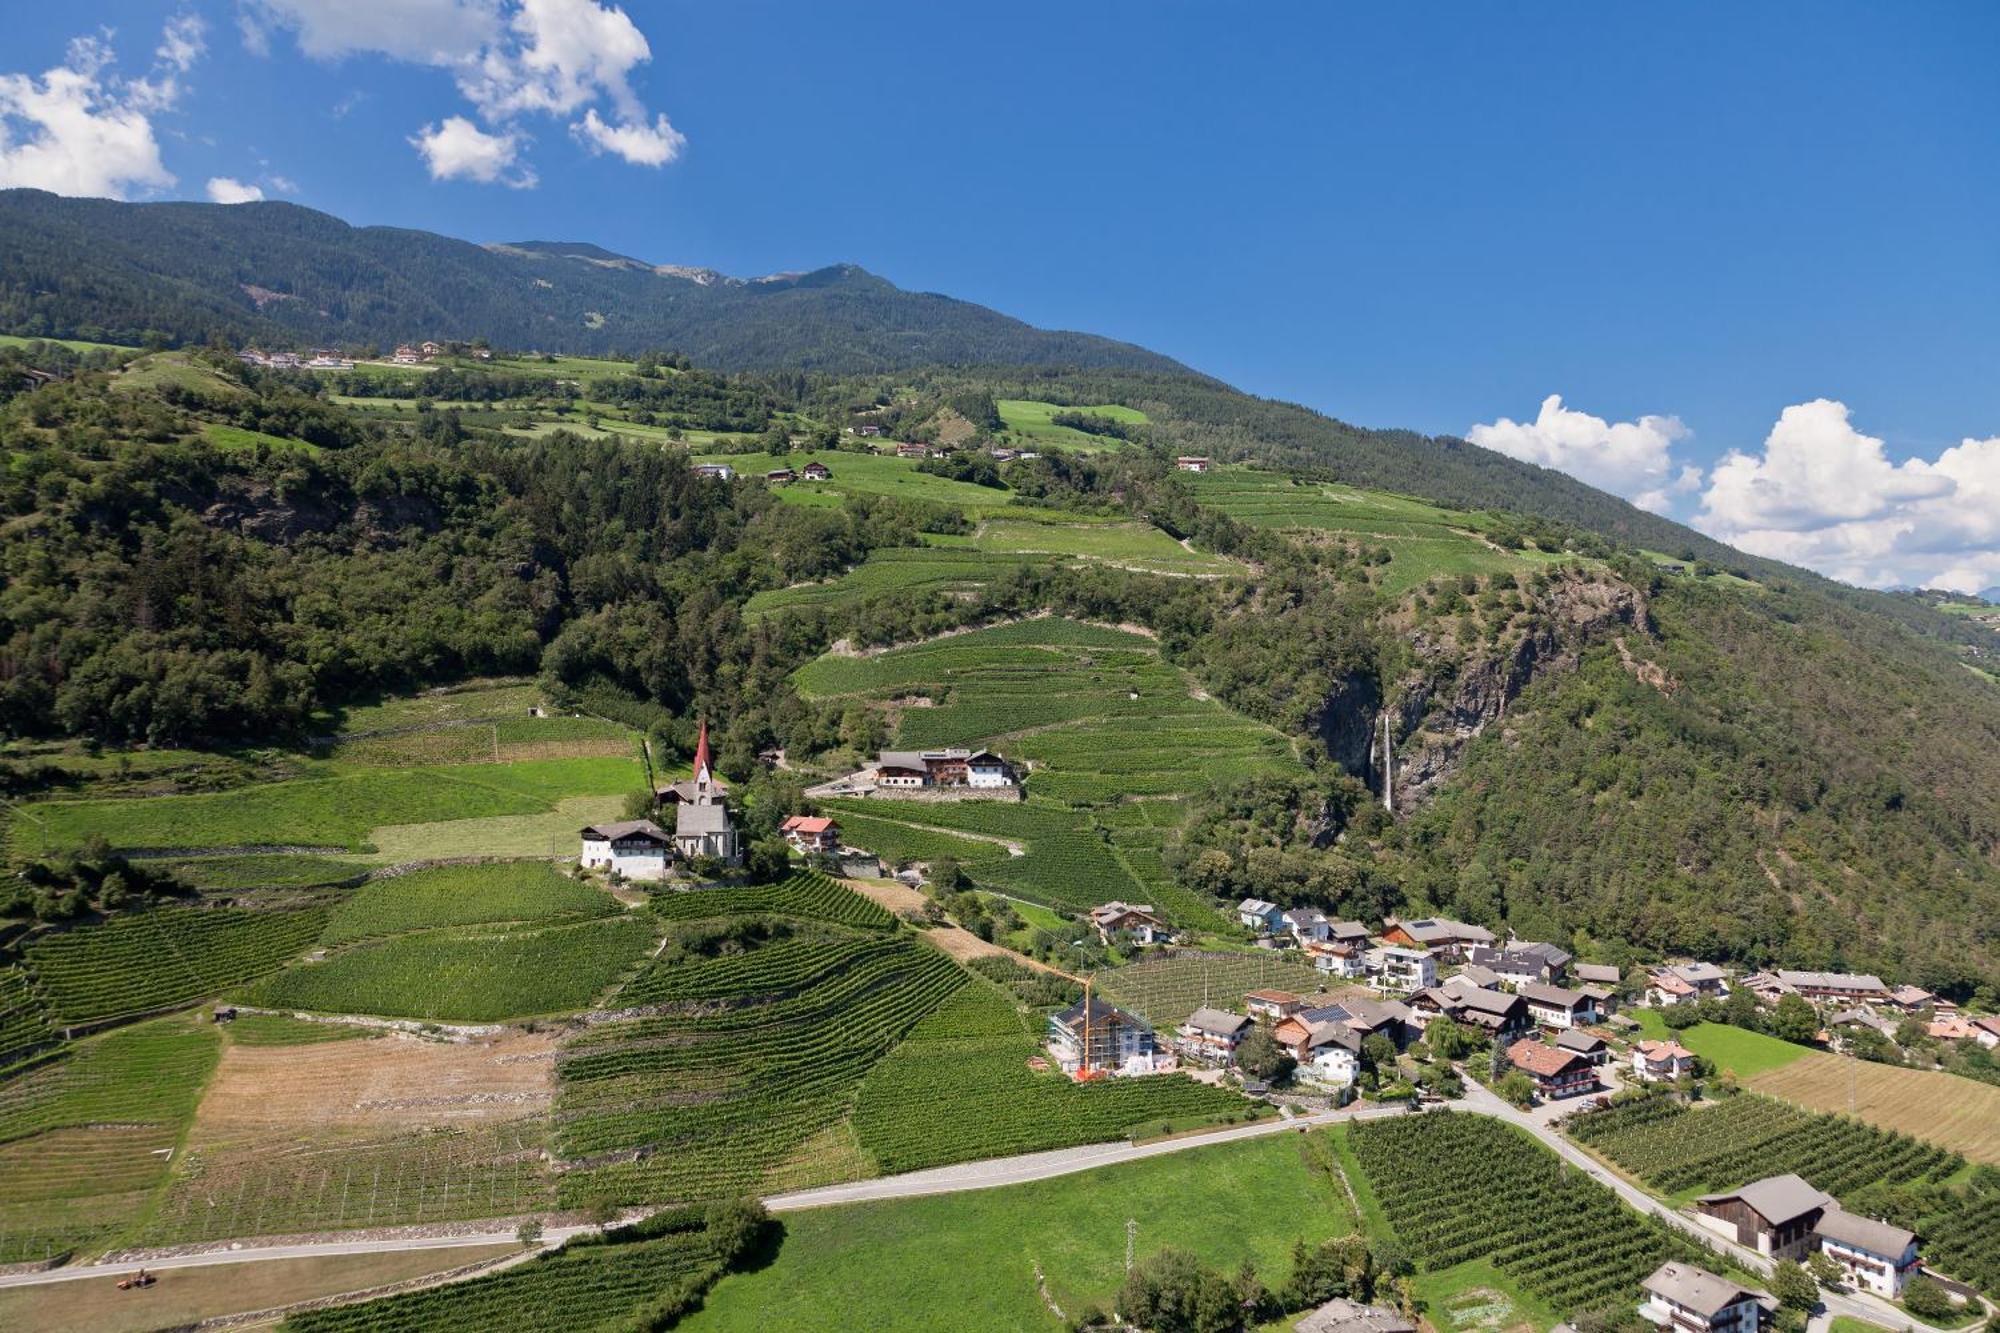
(1557, 1022)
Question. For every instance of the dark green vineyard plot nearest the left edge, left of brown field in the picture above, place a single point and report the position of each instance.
(161, 958)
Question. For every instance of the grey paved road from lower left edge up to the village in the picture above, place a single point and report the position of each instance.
(941, 1182)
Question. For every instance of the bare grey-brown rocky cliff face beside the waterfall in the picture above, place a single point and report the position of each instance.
(1455, 694)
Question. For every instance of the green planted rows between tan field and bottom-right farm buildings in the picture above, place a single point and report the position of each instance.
(1675, 1148)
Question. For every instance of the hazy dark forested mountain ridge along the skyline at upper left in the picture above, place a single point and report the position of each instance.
(109, 271)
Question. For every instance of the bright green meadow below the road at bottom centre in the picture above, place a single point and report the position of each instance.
(969, 1262)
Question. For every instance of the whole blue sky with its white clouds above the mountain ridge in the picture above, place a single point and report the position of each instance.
(1753, 249)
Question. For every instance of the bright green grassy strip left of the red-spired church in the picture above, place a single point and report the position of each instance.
(337, 808)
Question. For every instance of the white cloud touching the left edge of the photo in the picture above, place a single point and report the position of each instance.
(81, 129)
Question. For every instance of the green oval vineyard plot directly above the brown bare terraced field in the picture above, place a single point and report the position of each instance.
(467, 976)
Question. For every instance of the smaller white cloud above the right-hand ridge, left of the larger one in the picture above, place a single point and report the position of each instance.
(1633, 459)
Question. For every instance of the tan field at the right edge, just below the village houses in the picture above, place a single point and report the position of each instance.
(1947, 1110)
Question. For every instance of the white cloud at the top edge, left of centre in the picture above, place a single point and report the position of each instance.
(509, 59)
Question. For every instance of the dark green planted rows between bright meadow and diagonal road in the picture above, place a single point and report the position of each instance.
(1461, 1188)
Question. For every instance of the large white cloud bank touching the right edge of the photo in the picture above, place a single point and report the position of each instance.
(1825, 495)
